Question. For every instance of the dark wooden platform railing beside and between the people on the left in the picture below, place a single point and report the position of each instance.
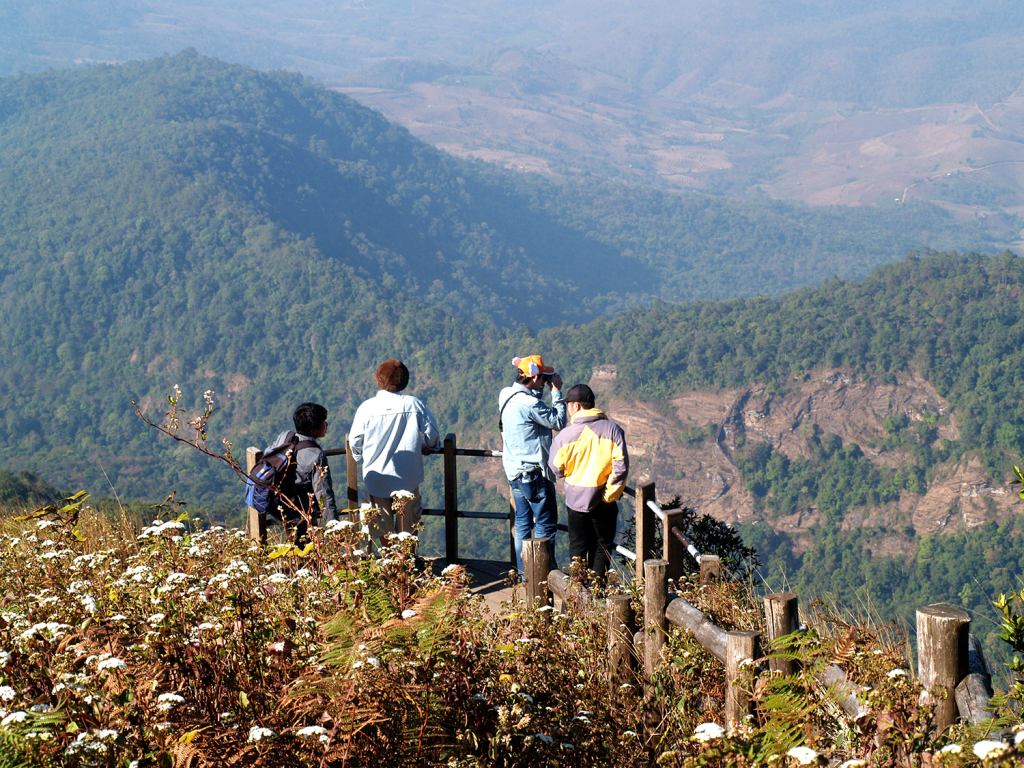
(451, 511)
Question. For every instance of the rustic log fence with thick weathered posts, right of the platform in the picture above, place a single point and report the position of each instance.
(952, 667)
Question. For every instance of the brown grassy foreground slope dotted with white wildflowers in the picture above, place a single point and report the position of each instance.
(170, 646)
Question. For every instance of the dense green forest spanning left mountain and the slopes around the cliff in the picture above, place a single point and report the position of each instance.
(187, 222)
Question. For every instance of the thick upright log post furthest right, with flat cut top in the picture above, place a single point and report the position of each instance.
(943, 658)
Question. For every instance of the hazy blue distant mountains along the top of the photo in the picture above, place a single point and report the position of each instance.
(731, 53)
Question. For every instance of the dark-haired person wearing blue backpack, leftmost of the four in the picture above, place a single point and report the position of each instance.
(295, 467)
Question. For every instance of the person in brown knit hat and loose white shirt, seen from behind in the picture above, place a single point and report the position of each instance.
(389, 436)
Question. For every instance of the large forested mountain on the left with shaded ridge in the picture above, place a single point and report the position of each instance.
(188, 222)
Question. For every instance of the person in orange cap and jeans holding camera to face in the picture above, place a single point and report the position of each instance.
(526, 422)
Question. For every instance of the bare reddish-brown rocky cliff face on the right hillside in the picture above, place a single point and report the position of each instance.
(689, 449)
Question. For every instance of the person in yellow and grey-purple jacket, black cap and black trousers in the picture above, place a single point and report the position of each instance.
(591, 455)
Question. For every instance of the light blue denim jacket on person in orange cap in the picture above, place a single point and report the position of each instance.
(528, 422)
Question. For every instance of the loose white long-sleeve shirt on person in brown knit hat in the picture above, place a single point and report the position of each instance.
(389, 436)
